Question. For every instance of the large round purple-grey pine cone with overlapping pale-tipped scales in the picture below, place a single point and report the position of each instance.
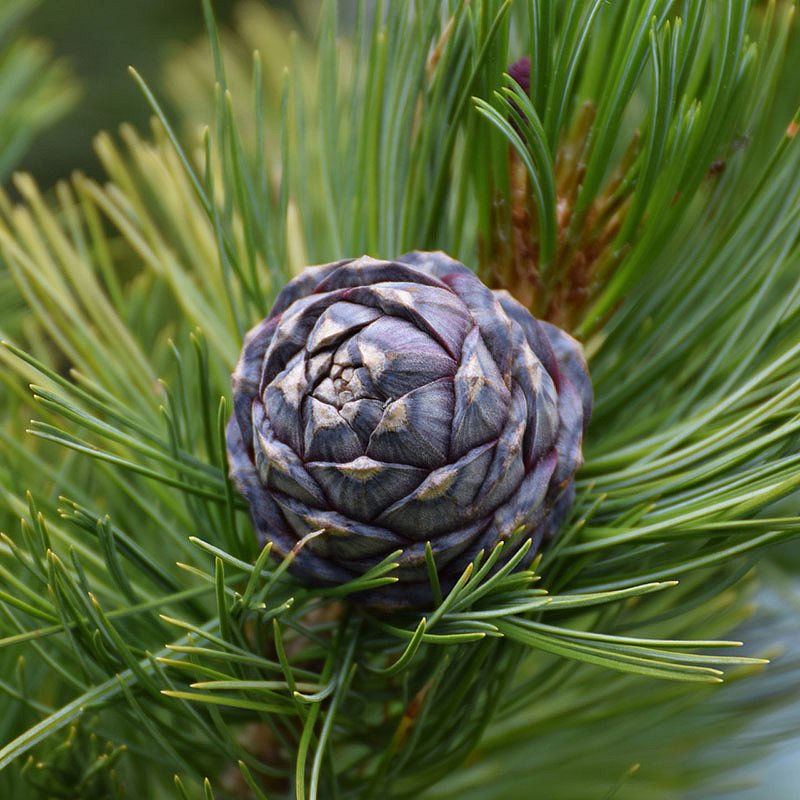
(386, 404)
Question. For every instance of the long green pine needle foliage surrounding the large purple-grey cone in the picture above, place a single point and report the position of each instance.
(640, 195)
